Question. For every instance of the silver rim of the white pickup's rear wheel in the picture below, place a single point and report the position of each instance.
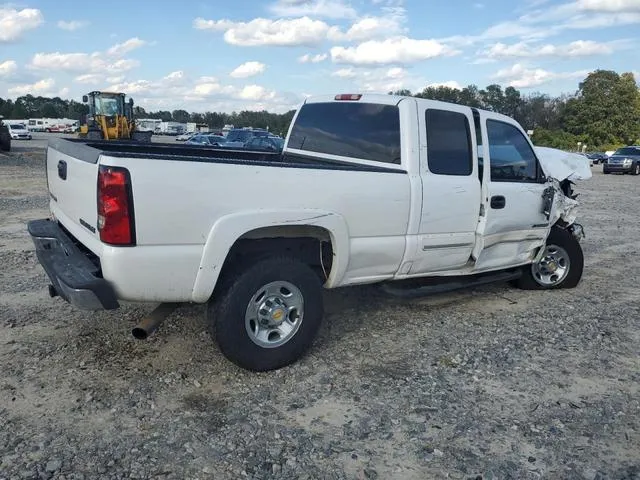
(274, 314)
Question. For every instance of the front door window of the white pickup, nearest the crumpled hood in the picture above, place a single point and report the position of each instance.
(512, 158)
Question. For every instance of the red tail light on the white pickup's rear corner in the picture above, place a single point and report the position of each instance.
(115, 206)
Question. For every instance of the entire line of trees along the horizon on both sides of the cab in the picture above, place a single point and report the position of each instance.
(604, 113)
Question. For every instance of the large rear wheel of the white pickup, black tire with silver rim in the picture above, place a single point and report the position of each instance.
(232, 319)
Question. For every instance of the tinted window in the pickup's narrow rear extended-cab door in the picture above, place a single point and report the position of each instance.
(448, 143)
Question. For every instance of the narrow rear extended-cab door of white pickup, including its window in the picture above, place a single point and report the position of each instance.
(451, 194)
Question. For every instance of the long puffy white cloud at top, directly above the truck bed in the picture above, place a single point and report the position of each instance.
(263, 31)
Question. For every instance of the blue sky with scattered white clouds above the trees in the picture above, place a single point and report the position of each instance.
(270, 54)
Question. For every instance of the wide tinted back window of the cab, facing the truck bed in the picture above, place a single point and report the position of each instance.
(366, 131)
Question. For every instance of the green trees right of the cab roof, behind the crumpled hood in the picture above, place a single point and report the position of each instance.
(604, 113)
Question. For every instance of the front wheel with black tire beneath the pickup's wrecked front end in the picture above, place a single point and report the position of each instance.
(565, 250)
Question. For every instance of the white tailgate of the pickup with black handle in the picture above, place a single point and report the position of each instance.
(72, 175)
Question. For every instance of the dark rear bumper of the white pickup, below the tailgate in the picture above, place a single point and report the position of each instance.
(72, 273)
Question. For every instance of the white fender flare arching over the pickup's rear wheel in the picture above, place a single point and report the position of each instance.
(229, 228)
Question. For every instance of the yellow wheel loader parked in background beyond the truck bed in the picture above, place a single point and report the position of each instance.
(110, 118)
